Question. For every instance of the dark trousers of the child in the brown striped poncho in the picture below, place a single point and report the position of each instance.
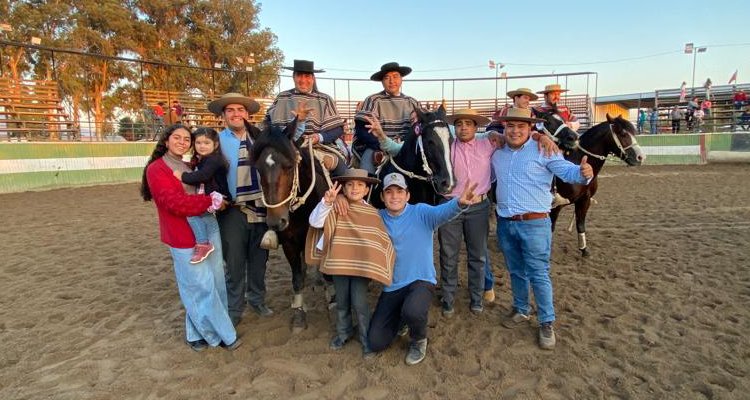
(351, 292)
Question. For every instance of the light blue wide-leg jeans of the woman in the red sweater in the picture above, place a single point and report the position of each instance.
(204, 294)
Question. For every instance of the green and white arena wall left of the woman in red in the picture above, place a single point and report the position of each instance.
(40, 166)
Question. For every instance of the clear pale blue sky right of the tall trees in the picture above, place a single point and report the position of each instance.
(455, 39)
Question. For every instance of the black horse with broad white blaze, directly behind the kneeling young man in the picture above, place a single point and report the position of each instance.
(424, 159)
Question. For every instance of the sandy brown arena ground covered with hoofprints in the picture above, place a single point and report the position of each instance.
(660, 310)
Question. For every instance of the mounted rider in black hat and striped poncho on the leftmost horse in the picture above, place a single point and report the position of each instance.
(323, 125)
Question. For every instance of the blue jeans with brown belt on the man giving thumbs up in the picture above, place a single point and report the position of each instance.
(526, 246)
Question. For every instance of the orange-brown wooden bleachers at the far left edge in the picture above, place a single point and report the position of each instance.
(33, 110)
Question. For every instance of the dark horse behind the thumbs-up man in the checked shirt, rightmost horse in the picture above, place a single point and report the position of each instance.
(615, 136)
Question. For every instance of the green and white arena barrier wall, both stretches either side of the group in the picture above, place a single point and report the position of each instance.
(45, 165)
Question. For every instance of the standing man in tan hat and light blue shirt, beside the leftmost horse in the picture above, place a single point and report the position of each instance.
(243, 224)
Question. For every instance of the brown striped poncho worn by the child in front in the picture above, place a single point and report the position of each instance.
(356, 244)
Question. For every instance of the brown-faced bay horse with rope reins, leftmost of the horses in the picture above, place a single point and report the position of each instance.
(293, 183)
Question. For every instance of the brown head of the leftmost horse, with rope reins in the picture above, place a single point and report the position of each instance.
(276, 158)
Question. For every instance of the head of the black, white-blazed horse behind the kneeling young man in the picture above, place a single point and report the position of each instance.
(433, 145)
